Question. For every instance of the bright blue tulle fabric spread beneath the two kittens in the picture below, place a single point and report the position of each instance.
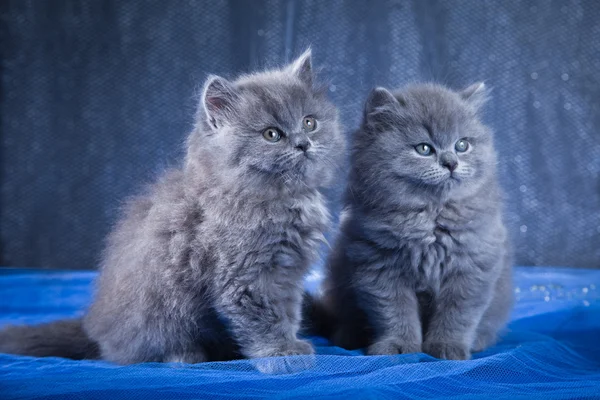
(551, 352)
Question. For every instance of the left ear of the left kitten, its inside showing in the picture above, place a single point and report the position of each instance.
(218, 98)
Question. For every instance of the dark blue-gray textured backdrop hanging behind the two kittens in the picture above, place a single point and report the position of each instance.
(97, 97)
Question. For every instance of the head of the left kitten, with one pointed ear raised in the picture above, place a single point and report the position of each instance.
(273, 128)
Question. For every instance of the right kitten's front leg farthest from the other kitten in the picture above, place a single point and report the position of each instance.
(458, 309)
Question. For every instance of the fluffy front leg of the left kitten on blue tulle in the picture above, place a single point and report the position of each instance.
(264, 319)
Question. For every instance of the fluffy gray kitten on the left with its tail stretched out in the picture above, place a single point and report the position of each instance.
(209, 263)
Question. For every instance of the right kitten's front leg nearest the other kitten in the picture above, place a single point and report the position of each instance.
(394, 315)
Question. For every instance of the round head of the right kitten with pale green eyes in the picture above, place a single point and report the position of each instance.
(428, 137)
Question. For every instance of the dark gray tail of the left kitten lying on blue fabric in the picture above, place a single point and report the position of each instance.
(64, 338)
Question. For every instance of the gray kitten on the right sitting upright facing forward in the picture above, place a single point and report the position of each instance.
(422, 261)
